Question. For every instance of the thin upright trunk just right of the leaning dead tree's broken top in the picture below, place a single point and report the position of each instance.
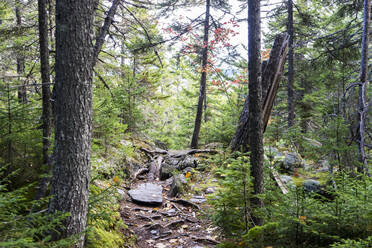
(290, 66)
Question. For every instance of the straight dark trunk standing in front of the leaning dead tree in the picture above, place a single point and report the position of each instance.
(255, 106)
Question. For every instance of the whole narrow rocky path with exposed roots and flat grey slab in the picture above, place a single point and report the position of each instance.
(155, 215)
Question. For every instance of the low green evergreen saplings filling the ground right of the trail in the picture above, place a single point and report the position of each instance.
(310, 219)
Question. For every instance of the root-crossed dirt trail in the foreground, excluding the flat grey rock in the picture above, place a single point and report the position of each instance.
(170, 225)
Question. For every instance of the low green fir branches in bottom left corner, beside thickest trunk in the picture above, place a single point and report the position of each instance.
(21, 228)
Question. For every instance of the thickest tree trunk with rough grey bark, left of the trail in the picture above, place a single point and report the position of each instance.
(73, 115)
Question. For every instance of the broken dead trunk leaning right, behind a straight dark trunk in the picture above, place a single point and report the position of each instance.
(271, 73)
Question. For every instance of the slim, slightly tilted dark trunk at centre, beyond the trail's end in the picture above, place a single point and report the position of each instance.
(203, 80)
